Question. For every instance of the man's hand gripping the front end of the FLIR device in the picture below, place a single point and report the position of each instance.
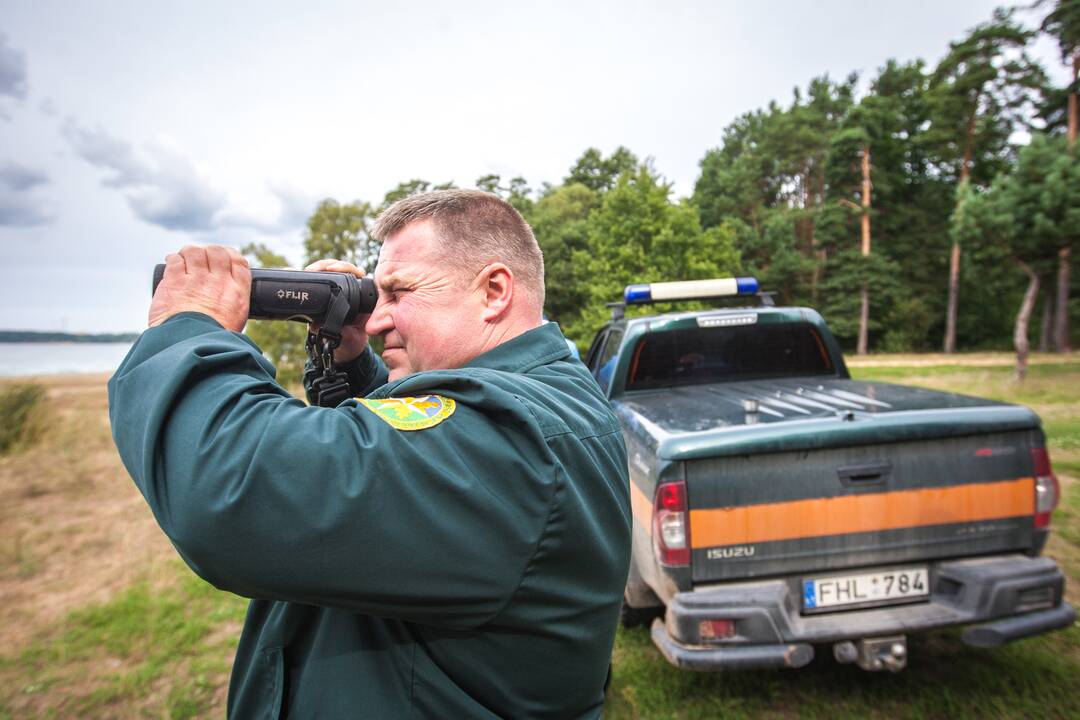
(212, 280)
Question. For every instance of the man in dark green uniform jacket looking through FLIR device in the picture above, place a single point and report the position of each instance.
(452, 545)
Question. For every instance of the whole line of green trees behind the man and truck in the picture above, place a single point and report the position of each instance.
(936, 210)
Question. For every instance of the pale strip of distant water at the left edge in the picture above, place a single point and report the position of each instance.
(23, 359)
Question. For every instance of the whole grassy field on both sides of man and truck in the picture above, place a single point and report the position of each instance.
(100, 620)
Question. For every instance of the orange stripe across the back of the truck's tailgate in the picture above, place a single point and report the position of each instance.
(868, 513)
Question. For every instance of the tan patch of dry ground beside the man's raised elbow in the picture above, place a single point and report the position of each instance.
(74, 528)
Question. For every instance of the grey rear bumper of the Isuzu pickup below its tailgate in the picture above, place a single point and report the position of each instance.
(1010, 597)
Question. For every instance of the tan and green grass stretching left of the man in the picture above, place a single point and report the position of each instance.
(77, 539)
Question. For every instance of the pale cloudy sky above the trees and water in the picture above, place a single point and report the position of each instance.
(129, 130)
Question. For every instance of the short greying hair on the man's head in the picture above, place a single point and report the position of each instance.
(475, 228)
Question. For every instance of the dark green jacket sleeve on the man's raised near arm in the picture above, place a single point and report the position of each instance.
(268, 498)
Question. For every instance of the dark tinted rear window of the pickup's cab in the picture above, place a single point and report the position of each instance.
(724, 355)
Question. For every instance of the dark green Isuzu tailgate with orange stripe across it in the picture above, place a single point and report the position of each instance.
(833, 508)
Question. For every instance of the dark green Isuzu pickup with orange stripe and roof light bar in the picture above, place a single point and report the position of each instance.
(780, 506)
